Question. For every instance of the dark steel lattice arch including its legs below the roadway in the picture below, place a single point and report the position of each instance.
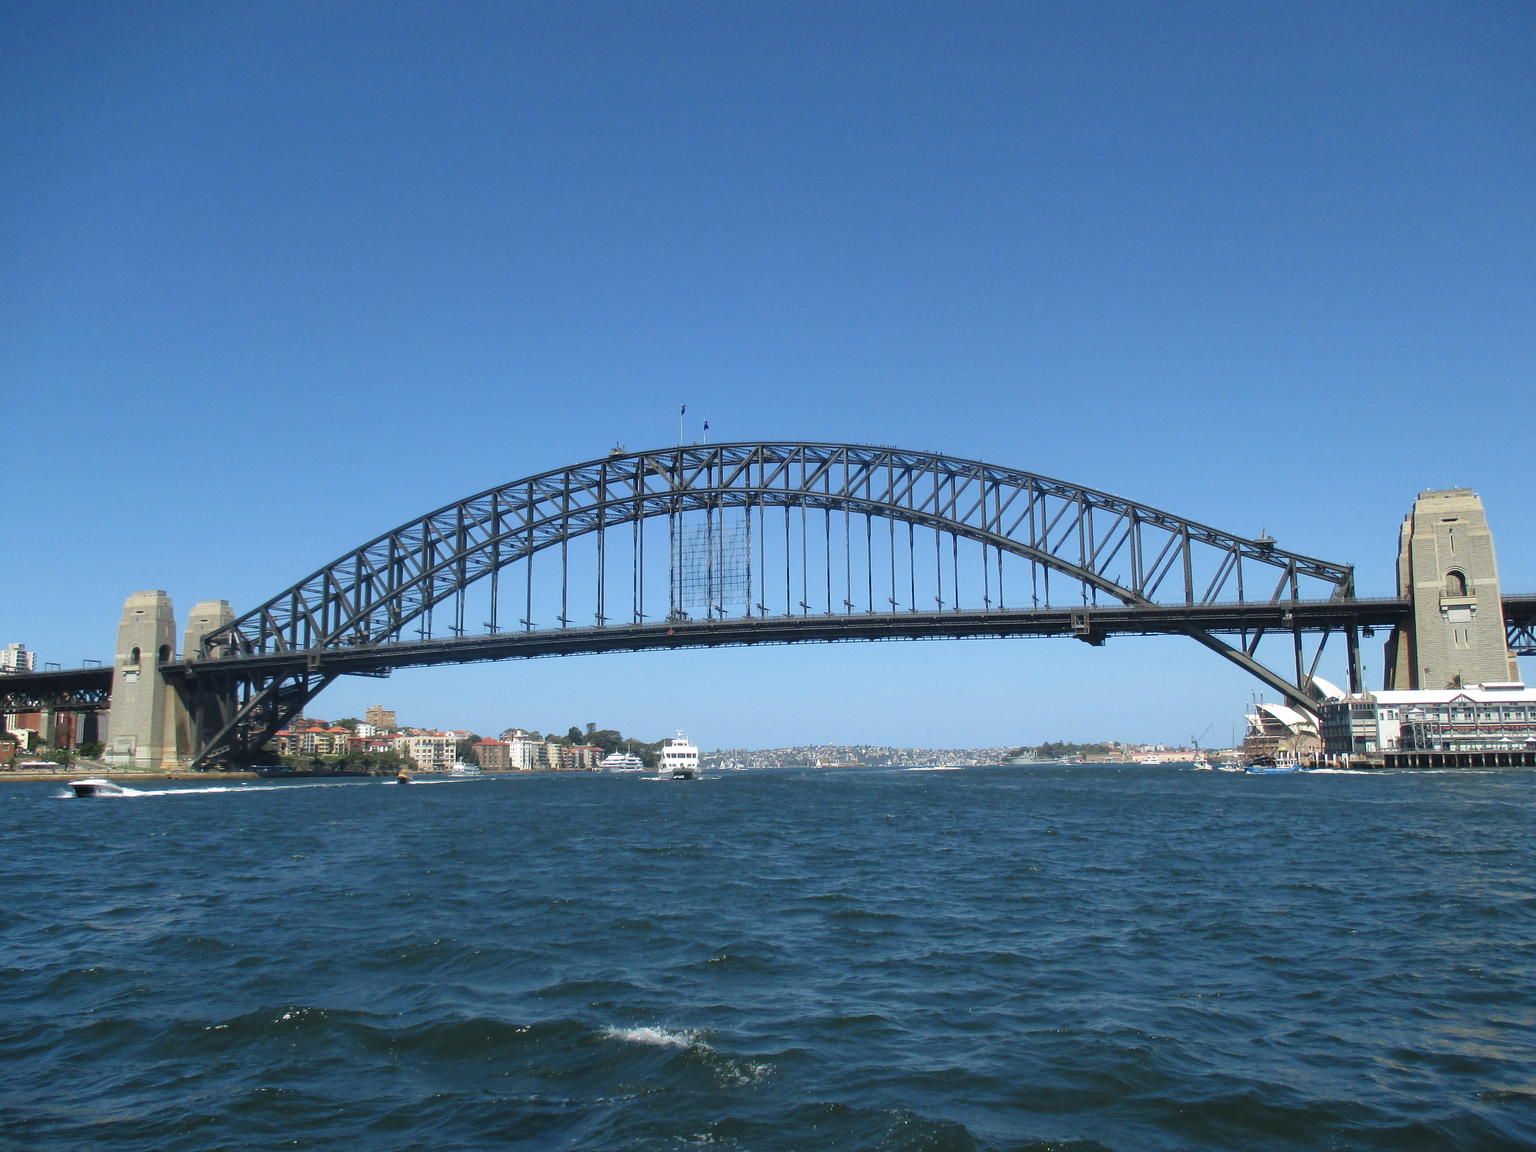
(353, 614)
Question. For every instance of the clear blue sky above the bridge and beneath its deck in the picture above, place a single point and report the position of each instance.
(280, 277)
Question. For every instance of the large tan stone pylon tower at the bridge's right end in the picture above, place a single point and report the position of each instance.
(1448, 571)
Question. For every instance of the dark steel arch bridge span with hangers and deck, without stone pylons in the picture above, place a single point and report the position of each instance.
(733, 545)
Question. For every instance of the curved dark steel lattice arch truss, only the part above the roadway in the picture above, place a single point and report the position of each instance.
(372, 595)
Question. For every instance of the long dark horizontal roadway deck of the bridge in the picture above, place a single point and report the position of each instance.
(90, 689)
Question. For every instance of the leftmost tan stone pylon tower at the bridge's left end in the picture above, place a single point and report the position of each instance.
(142, 732)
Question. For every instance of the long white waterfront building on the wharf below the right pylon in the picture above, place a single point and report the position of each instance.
(1485, 724)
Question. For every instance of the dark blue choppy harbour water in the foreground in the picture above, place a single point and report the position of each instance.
(985, 959)
